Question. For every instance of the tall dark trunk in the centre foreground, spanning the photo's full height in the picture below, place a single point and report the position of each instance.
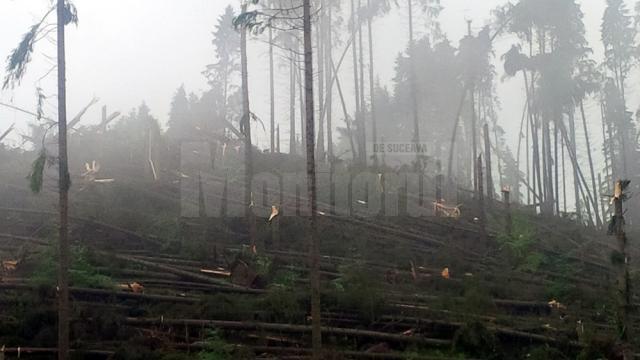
(316, 335)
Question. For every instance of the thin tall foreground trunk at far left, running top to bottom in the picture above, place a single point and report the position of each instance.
(63, 186)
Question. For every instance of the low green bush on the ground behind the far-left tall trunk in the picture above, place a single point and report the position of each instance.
(82, 272)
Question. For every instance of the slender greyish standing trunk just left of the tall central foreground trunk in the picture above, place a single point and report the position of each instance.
(246, 129)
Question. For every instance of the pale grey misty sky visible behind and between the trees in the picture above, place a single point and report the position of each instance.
(129, 51)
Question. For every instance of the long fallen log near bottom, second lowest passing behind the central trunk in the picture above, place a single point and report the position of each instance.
(243, 325)
